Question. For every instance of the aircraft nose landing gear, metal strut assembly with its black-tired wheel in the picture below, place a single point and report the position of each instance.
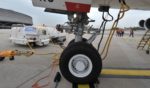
(80, 62)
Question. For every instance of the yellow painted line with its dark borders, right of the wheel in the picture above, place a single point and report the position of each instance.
(126, 73)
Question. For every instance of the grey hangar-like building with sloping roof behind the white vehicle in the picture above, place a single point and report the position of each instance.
(9, 17)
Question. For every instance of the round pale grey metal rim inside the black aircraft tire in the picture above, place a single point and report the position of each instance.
(80, 65)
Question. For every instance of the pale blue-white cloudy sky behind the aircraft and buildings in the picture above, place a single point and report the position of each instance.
(131, 18)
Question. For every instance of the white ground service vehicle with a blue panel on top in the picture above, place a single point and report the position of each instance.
(23, 35)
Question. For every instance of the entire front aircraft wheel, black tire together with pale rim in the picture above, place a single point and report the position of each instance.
(80, 63)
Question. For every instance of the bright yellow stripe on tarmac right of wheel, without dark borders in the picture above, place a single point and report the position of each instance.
(126, 72)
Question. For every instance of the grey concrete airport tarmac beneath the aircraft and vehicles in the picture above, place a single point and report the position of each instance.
(23, 72)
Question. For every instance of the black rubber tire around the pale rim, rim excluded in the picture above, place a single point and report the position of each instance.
(84, 49)
